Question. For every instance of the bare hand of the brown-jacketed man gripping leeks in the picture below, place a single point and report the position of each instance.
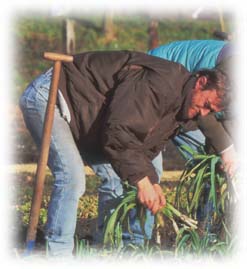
(150, 195)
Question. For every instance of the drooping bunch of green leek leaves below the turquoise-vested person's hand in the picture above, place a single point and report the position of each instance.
(200, 171)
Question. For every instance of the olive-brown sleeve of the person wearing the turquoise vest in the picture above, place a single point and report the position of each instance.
(215, 133)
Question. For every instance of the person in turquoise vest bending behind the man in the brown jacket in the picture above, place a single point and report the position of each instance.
(195, 55)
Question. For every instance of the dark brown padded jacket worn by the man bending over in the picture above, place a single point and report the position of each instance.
(125, 106)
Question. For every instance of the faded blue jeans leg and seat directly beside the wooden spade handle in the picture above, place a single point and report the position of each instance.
(65, 163)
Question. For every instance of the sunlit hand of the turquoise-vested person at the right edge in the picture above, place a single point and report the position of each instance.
(229, 161)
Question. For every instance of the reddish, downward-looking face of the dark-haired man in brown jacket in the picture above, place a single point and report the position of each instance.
(203, 102)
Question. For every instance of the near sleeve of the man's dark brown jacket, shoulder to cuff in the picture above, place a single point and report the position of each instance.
(132, 114)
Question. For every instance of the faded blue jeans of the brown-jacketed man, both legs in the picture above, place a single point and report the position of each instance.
(67, 167)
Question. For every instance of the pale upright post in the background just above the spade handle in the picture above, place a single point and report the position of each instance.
(69, 36)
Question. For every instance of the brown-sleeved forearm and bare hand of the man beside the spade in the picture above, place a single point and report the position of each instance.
(127, 156)
